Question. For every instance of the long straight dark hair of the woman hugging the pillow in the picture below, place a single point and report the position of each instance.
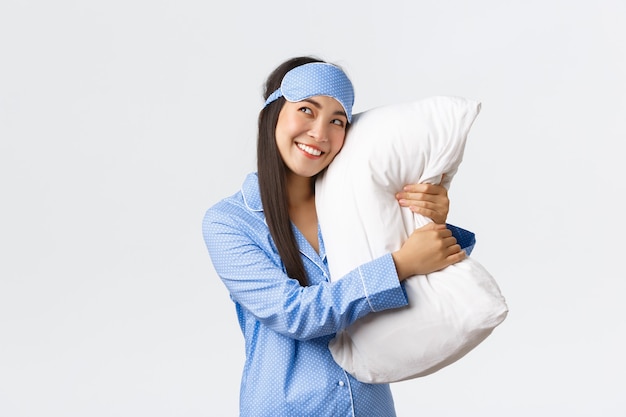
(272, 175)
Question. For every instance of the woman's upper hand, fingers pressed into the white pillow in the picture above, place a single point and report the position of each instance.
(429, 200)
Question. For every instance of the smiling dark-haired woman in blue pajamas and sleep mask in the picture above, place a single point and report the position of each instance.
(266, 246)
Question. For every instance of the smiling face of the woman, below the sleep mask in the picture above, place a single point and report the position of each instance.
(310, 133)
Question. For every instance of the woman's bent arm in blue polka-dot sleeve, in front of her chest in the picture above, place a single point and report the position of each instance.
(244, 258)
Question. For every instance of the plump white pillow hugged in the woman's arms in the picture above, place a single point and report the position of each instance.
(450, 311)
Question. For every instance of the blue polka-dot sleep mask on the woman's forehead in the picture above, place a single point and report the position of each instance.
(316, 79)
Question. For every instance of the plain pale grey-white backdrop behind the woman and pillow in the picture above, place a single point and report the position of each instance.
(121, 122)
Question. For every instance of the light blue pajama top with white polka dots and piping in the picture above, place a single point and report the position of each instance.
(289, 370)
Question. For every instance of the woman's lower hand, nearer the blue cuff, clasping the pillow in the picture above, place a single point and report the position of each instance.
(429, 248)
